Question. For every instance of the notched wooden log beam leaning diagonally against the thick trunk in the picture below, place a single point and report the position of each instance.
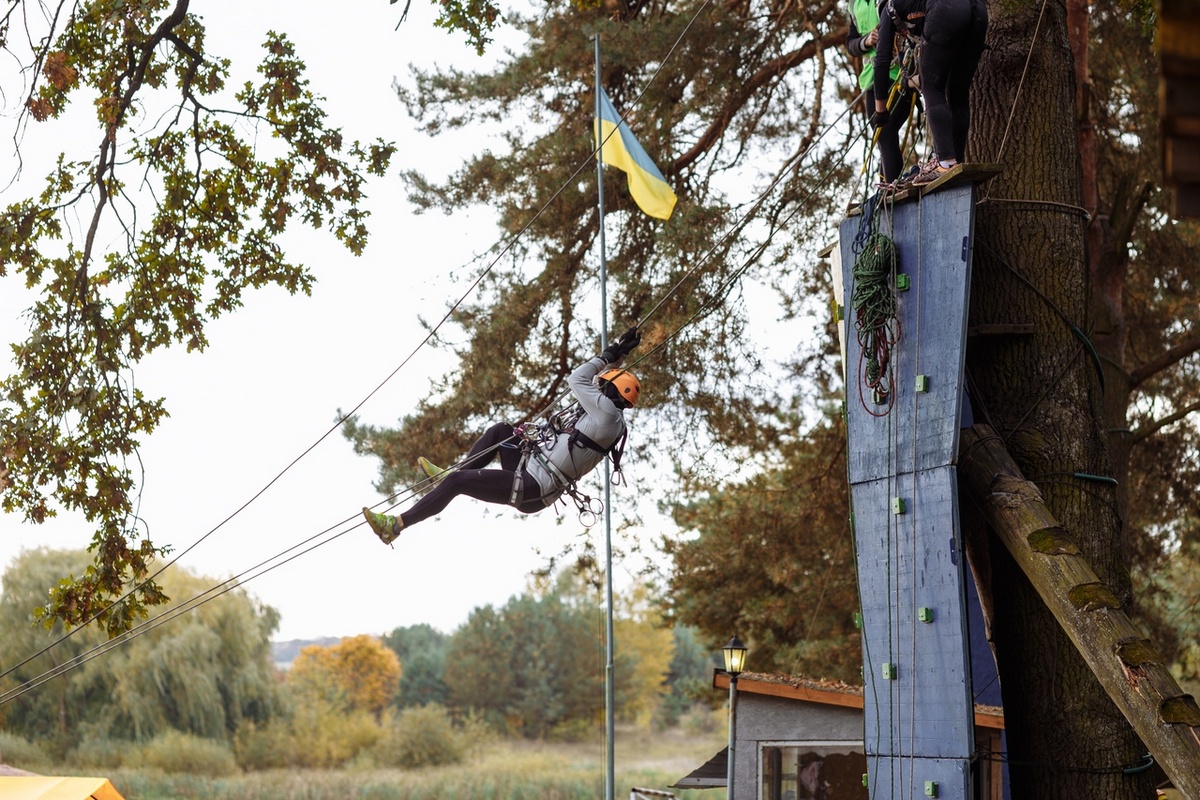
(1125, 661)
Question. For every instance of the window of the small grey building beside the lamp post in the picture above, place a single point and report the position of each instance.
(812, 771)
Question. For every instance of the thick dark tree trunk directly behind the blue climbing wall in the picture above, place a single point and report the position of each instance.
(1066, 738)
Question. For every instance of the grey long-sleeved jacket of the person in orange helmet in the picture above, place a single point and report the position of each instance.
(602, 423)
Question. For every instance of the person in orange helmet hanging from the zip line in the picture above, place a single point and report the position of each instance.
(535, 474)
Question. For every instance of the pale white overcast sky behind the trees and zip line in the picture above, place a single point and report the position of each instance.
(278, 371)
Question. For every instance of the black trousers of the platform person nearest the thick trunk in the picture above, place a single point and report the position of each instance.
(950, 56)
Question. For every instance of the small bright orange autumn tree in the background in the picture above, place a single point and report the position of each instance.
(356, 673)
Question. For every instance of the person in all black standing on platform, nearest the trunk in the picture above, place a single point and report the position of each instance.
(952, 37)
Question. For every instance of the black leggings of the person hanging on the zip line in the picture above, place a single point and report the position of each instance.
(487, 485)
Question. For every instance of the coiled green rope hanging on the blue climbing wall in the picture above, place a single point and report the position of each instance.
(875, 308)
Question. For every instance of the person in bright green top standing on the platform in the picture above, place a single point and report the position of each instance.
(865, 16)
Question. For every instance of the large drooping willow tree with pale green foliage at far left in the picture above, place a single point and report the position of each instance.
(205, 672)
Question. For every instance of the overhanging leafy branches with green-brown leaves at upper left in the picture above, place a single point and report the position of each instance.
(194, 200)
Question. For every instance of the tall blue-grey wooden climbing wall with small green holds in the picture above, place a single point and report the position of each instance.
(919, 709)
